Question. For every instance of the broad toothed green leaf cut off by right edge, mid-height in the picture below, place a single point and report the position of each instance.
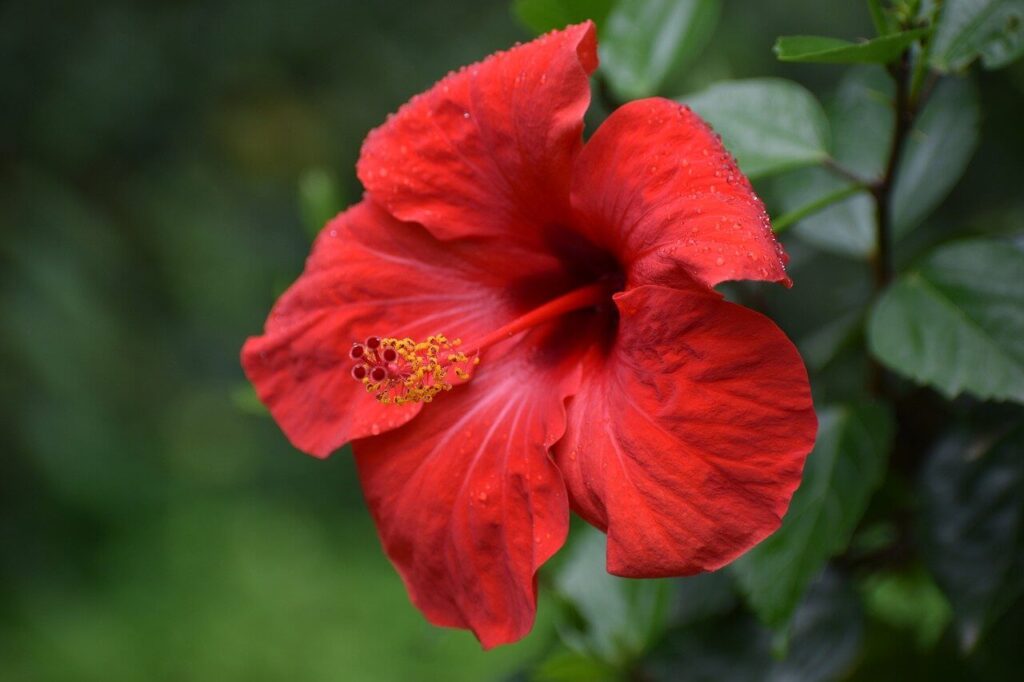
(957, 322)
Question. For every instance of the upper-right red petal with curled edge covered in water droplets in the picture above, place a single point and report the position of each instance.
(656, 186)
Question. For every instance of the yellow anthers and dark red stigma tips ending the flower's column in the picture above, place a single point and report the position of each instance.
(401, 371)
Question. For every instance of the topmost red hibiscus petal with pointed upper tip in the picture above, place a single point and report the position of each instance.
(489, 151)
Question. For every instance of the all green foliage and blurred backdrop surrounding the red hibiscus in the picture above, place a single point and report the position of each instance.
(164, 166)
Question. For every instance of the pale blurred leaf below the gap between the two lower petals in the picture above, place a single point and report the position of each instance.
(616, 620)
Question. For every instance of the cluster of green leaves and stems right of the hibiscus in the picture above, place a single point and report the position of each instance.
(908, 526)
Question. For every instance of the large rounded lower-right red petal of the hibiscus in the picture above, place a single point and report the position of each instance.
(688, 448)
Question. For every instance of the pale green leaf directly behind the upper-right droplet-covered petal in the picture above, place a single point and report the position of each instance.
(770, 124)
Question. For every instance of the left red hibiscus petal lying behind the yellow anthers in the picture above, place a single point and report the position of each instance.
(371, 275)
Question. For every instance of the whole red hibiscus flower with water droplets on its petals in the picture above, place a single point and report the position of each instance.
(599, 371)
